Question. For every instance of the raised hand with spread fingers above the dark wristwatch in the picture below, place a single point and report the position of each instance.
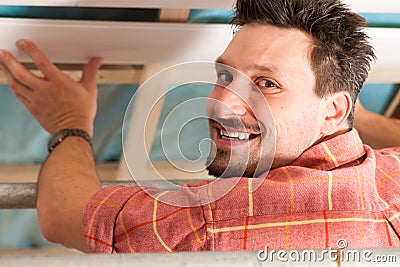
(55, 100)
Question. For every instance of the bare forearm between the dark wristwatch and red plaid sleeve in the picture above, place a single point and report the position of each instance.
(67, 180)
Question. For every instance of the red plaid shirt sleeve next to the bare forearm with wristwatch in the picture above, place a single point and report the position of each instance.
(128, 219)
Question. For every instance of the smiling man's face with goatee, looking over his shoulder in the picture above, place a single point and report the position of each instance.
(277, 61)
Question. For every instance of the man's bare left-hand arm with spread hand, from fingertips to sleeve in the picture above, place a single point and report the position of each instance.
(68, 177)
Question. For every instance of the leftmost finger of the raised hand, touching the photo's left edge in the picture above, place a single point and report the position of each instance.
(17, 71)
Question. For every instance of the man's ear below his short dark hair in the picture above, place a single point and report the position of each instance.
(338, 108)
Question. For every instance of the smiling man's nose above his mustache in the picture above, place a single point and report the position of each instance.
(229, 103)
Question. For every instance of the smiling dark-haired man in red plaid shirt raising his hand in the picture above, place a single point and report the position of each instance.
(309, 59)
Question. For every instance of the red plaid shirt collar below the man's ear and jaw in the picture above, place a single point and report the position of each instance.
(333, 153)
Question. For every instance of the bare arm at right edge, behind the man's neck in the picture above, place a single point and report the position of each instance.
(376, 130)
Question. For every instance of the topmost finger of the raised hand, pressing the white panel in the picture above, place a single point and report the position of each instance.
(39, 59)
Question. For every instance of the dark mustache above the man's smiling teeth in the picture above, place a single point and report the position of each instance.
(236, 123)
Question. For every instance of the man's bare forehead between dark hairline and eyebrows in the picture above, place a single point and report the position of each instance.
(263, 45)
